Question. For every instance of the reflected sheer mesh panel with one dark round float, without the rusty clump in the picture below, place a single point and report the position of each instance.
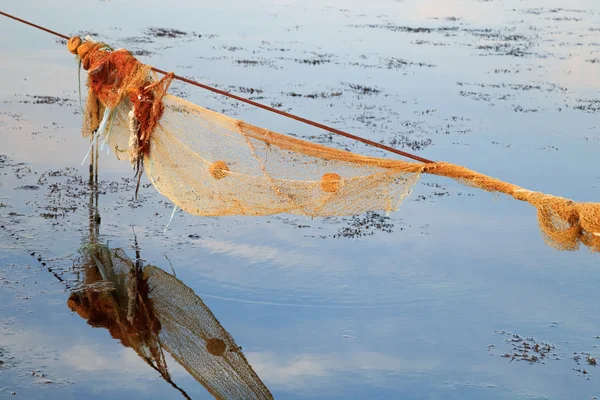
(193, 336)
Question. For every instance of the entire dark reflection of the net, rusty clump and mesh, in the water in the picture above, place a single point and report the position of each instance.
(151, 311)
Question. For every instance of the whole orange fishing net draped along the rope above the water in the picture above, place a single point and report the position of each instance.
(211, 165)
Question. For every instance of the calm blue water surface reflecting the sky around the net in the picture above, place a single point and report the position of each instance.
(421, 304)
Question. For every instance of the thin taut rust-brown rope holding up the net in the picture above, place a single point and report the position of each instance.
(254, 103)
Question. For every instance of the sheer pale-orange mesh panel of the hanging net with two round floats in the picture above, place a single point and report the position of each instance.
(211, 165)
